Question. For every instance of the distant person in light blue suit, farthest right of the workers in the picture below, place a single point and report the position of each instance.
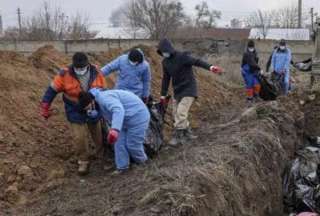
(281, 60)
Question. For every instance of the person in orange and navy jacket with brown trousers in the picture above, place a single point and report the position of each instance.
(79, 77)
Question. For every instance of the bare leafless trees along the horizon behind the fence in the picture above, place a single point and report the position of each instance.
(156, 18)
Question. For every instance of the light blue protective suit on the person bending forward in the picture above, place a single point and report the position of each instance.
(129, 115)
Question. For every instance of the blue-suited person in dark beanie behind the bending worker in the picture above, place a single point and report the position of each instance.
(134, 73)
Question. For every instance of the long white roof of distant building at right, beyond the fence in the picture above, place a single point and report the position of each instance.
(280, 33)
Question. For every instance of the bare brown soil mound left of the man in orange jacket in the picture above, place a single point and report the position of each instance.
(31, 150)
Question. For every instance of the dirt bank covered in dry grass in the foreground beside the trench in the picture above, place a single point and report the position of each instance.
(234, 168)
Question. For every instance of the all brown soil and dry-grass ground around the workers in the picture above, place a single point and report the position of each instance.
(233, 168)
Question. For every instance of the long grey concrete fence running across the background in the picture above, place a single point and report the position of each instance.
(301, 49)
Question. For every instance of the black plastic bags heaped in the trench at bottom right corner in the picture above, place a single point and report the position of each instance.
(301, 191)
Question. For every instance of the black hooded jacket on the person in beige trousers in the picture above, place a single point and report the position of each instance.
(178, 67)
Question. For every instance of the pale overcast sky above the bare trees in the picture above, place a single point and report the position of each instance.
(99, 10)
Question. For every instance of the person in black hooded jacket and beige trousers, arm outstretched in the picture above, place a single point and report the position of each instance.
(177, 66)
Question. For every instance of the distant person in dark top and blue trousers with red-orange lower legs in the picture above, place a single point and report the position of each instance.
(249, 71)
